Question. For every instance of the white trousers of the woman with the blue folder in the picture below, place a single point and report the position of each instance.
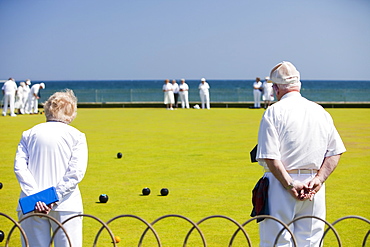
(38, 230)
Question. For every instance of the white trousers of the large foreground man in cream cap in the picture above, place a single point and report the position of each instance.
(308, 232)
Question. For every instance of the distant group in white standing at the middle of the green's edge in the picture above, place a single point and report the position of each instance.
(173, 90)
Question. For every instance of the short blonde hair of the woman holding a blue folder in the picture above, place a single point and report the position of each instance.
(61, 107)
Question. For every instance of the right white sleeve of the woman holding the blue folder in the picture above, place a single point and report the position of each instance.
(76, 168)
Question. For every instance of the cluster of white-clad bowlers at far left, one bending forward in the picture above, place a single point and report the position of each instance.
(24, 97)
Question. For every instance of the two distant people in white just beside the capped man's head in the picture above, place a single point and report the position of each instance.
(263, 89)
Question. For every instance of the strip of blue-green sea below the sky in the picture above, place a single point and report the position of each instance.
(233, 91)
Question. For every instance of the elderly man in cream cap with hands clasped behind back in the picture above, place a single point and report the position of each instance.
(299, 147)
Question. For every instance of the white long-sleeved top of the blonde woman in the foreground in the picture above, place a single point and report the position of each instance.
(52, 154)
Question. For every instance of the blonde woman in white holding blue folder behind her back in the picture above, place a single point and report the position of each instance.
(53, 154)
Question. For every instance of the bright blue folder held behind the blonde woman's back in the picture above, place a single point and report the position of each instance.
(47, 196)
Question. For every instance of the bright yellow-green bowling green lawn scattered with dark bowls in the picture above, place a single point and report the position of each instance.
(202, 157)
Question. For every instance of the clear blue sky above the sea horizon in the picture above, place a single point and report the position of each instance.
(156, 39)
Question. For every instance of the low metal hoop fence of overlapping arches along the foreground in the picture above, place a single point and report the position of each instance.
(194, 226)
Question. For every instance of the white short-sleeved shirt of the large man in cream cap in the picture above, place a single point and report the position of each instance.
(298, 132)
